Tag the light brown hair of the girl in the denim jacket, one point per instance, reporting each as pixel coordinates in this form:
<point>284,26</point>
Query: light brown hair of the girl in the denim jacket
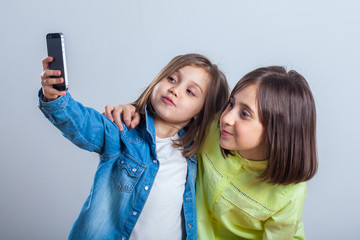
<point>216,97</point>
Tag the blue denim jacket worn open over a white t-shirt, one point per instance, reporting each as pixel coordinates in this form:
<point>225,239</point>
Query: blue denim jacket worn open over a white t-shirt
<point>125,174</point>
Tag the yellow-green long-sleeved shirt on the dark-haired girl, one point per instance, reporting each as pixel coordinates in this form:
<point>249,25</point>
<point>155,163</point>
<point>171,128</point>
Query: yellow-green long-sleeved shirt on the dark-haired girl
<point>232,203</point>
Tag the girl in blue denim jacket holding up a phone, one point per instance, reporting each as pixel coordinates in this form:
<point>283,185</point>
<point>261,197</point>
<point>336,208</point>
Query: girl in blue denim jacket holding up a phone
<point>144,185</point>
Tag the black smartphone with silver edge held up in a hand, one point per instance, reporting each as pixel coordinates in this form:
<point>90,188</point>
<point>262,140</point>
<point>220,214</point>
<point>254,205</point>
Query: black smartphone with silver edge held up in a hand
<point>56,48</point>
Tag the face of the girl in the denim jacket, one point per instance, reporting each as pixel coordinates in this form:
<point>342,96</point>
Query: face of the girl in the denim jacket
<point>181,96</point>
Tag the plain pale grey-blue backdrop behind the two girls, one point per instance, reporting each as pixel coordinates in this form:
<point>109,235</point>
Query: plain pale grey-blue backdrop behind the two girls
<point>115,48</point>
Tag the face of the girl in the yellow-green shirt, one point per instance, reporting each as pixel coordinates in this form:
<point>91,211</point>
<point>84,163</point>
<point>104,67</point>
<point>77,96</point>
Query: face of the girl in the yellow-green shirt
<point>240,126</point>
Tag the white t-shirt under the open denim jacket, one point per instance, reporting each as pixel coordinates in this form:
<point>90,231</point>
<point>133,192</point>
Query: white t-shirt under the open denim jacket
<point>161,217</point>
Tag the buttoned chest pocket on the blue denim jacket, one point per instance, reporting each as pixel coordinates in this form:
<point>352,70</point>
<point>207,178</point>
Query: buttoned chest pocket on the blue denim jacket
<point>126,173</point>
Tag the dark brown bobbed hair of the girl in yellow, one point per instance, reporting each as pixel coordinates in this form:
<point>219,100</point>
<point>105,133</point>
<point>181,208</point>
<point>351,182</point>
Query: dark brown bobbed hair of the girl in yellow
<point>287,111</point>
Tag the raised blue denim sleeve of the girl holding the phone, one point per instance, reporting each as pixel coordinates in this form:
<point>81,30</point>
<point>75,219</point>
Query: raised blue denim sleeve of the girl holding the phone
<point>83,126</point>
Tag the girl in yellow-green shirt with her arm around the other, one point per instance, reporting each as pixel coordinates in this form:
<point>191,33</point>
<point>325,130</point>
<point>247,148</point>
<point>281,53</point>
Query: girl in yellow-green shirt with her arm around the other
<point>256,159</point>
